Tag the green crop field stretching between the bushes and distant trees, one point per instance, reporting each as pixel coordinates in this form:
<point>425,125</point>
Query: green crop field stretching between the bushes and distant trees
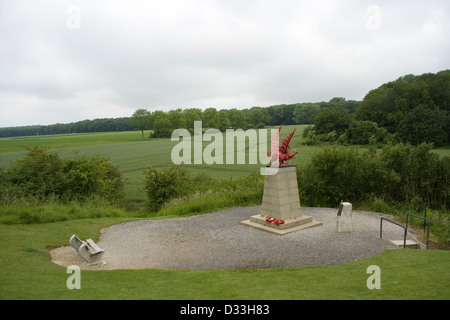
<point>127,151</point>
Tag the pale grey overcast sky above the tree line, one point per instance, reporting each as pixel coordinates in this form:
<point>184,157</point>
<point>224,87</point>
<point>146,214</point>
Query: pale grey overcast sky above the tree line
<point>66,61</point>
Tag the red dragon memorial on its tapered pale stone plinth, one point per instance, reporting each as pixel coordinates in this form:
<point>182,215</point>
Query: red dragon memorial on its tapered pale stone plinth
<point>280,209</point>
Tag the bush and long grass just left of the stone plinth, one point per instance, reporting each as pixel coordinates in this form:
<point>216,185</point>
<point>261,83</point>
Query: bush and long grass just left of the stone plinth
<point>173,191</point>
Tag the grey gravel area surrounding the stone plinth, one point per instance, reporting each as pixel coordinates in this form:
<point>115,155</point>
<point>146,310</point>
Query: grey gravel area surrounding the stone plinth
<point>218,241</point>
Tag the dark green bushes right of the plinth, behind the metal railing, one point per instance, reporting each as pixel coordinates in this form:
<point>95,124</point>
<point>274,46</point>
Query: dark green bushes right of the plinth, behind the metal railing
<point>399,174</point>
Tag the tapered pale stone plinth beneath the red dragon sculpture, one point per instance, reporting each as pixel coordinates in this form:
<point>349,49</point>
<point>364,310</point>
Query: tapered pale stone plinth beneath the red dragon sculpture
<point>281,201</point>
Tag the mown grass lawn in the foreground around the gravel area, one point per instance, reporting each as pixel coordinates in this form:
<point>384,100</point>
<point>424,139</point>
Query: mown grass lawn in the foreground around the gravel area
<point>26,272</point>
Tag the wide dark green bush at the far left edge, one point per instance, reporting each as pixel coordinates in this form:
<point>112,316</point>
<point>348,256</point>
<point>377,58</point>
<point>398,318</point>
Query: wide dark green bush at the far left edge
<point>44,175</point>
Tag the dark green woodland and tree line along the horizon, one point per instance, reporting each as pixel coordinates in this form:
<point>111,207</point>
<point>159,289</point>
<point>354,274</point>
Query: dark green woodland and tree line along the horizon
<point>411,109</point>
